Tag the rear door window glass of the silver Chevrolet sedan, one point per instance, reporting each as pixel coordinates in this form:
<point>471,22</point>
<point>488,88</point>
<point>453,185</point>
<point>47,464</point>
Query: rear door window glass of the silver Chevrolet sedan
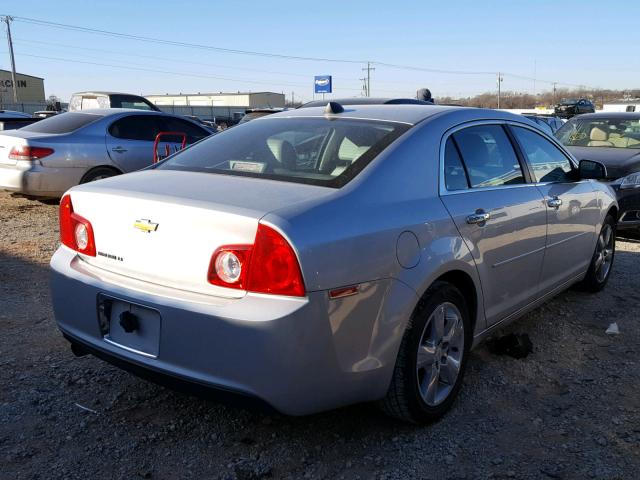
<point>488,156</point>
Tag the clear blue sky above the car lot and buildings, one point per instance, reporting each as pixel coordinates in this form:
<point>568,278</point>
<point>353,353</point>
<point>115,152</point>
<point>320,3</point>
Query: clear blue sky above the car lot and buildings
<point>572,42</point>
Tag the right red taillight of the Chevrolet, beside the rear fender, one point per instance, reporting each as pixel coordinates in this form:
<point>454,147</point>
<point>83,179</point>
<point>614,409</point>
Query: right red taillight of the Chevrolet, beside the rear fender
<point>268,266</point>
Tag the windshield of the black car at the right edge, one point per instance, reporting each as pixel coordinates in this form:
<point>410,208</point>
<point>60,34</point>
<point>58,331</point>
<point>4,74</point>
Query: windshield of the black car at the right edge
<point>601,132</point>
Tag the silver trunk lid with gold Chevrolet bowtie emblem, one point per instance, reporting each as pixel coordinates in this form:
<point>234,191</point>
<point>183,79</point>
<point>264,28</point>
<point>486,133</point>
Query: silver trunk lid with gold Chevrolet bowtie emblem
<point>164,226</point>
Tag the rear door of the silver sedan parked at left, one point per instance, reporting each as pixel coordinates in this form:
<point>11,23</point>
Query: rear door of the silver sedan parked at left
<point>130,140</point>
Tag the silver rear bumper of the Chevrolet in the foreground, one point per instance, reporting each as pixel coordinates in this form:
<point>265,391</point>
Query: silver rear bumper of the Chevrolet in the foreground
<point>300,356</point>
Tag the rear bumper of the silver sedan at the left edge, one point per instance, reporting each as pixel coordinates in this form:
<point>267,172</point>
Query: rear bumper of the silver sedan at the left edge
<point>31,178</point>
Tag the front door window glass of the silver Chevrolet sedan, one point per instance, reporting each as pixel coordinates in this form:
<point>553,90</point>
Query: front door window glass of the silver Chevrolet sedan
<point>548,162</point>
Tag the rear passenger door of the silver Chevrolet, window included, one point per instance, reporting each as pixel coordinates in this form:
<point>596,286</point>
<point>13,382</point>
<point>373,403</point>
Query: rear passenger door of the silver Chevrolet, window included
<point>499,214</point>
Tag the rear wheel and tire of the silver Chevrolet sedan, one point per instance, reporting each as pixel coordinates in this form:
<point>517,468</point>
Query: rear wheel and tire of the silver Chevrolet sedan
<point>432,358</point>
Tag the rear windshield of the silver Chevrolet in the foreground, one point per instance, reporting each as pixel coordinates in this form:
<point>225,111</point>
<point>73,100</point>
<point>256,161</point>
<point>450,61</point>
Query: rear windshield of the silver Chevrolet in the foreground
<point>318,151</point>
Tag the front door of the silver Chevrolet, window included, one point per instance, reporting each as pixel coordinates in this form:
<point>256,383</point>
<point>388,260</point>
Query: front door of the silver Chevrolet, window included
<point>572,208</point>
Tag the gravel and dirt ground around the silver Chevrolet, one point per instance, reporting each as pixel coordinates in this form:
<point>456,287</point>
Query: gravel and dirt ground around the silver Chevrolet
<point>569,410</point>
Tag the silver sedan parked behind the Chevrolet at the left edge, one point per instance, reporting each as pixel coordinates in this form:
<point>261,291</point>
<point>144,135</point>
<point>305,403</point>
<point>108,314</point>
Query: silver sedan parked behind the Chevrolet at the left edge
<point>48,157</point>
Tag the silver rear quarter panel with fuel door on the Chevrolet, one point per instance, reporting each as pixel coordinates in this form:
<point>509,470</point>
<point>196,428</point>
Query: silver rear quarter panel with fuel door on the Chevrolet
<point>352,237</point>
